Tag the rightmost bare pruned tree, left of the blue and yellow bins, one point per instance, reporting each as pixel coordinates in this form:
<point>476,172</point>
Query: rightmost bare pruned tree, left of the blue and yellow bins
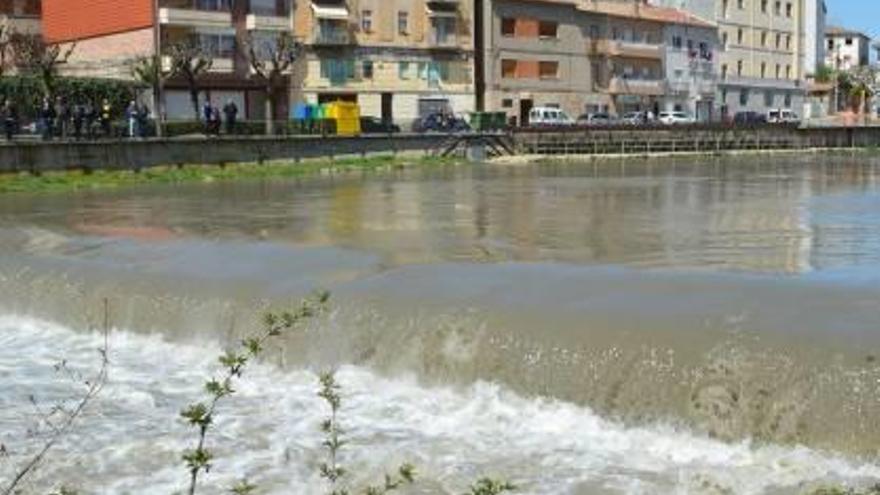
<point>271,60</point>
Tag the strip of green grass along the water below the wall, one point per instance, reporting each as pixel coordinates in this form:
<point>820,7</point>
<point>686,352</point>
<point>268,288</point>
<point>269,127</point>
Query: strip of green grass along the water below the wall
<point>76,180</point>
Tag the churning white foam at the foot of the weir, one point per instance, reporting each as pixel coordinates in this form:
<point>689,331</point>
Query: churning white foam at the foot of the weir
<point>132,437</point>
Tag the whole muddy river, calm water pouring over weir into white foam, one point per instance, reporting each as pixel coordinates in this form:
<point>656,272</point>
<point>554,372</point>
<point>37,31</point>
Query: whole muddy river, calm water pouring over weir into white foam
<point>688,325</point>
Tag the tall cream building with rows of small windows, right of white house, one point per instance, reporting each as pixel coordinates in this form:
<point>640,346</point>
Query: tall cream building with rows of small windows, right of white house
<point>762,61</point>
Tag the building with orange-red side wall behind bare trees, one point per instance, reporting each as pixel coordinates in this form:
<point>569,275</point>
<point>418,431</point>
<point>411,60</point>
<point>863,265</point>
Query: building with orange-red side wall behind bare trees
<point>109,35</point>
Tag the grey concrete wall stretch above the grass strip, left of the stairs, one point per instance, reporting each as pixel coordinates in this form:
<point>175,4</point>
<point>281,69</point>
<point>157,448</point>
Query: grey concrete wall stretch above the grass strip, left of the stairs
<point>137,154</point>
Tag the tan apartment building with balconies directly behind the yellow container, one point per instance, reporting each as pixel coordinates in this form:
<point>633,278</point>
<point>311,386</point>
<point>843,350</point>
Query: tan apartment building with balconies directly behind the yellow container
<point>398,59</point>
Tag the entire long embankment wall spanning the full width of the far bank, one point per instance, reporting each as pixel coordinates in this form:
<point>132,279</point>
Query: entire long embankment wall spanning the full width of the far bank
<point>39,157</point>
